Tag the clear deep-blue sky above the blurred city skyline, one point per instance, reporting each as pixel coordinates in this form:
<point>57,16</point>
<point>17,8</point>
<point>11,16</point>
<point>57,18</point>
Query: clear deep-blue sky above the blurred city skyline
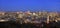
<point>31,5</point>
